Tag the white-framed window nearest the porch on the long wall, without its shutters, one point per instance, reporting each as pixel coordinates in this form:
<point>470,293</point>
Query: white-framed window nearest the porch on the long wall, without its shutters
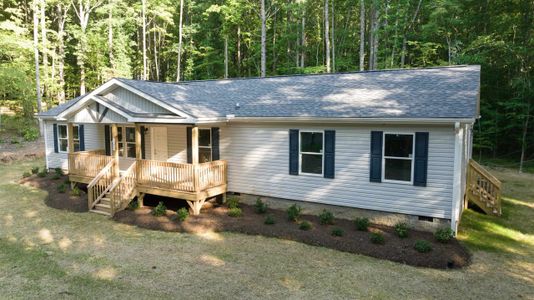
<point>311,152</point>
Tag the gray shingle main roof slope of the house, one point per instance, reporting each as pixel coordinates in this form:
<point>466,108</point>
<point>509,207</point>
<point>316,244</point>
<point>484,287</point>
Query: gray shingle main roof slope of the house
<point>445,92</point>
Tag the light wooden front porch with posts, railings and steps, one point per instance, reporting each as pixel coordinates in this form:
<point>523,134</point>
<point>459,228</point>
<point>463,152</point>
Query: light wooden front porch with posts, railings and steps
<point>114,181</point>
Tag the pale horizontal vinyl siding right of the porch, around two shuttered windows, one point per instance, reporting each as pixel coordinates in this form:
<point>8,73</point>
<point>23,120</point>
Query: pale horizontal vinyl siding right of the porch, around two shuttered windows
<point>258,163</point>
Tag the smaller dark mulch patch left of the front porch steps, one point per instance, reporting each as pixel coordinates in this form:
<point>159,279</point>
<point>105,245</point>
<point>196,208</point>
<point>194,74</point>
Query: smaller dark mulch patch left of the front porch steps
<point>55,199</point>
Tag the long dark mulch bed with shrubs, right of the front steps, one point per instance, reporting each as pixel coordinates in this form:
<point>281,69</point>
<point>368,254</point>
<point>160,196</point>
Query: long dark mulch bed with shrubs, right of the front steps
<point>214,217</point>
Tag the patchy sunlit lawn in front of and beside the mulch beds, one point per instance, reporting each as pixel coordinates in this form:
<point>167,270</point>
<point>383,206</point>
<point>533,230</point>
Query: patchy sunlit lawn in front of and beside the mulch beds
<point>48,253</point>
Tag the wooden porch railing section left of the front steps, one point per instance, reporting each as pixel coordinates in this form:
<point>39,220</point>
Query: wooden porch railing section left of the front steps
<point>87,163</point>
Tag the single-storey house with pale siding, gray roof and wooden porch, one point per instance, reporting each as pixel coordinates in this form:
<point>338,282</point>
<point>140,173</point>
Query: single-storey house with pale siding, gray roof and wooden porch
<point>395,141</point>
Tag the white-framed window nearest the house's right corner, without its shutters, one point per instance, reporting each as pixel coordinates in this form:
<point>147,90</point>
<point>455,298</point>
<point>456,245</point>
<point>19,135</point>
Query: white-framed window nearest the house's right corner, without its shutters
<point>398,157</point>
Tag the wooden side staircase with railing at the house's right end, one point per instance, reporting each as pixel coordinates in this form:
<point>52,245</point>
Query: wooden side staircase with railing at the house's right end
<point>483,189</point>
